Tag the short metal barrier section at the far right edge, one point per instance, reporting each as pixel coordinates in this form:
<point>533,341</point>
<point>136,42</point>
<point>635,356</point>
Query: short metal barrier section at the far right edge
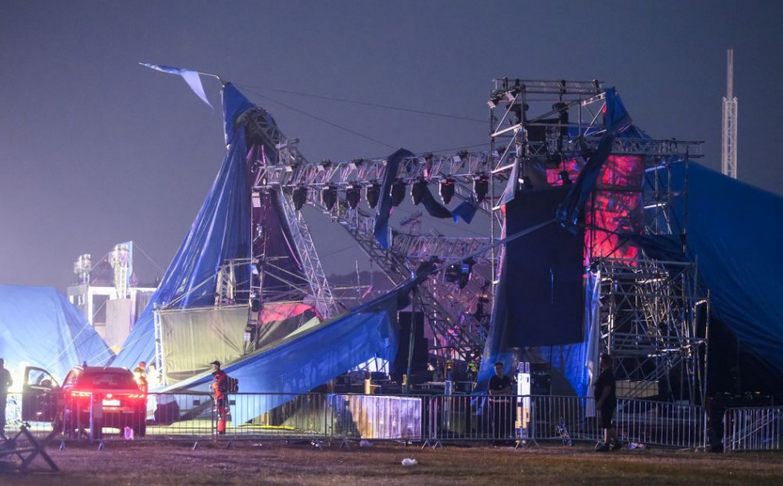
<point>752,429</point>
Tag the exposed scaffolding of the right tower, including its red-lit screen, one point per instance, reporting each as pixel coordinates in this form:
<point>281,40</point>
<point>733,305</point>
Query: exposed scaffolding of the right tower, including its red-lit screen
<point>648,308</point>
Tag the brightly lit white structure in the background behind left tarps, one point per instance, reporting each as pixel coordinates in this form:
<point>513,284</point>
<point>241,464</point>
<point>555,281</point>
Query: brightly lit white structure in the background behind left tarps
<point>107,293</point>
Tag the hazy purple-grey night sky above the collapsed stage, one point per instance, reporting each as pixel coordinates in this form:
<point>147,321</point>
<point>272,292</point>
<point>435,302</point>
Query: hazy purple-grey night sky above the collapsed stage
<point>96,150</point>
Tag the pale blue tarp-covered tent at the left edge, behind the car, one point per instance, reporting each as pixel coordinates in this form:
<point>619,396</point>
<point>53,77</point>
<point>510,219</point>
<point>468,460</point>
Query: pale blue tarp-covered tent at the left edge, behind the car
<point>39,327</point>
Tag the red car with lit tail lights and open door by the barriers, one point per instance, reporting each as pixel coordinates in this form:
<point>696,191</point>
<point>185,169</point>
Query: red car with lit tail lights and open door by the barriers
<point>110,395</point>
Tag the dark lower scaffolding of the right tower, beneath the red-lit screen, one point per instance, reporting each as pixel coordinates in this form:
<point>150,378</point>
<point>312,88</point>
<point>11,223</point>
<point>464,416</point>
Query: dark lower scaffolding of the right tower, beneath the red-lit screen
<point>650,323</point>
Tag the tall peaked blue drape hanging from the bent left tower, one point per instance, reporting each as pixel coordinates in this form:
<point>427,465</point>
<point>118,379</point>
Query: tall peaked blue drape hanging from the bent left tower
<point>221,233</point>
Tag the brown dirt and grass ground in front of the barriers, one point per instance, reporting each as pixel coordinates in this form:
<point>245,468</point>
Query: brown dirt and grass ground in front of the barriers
<point>155,463</point>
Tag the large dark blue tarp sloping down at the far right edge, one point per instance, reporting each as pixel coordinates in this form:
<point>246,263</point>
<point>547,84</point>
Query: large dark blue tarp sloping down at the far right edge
<point>735,234</point>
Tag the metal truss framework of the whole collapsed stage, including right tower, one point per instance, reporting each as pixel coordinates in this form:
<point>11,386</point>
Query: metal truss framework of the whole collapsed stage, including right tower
<point>536,126</point>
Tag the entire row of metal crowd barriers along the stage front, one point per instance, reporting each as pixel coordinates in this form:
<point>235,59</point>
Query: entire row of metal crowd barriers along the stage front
<point>428,418</point>
